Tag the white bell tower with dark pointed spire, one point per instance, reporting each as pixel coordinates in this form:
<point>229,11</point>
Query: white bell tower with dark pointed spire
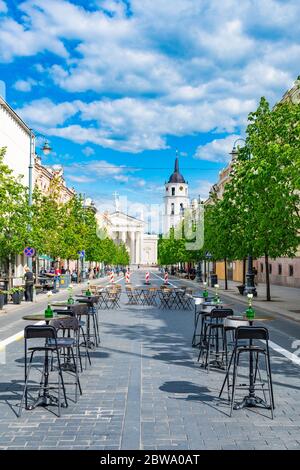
<point>176,199</point>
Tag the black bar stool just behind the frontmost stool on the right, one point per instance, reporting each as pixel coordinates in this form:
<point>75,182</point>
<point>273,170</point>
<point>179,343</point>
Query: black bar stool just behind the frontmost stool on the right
<point>212,334</point>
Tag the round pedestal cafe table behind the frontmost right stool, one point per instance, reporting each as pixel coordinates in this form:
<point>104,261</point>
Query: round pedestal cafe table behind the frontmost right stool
<point>250,400</point>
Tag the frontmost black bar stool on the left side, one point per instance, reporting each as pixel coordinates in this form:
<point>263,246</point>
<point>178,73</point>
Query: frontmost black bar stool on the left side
<point>48,333</point>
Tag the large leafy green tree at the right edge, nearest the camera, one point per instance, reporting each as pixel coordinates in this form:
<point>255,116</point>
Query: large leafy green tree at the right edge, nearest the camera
<point>261,201</point>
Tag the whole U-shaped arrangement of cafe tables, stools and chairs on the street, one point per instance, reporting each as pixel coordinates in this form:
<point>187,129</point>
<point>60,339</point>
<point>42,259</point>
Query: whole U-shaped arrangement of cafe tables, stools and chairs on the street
<point>225,341</point>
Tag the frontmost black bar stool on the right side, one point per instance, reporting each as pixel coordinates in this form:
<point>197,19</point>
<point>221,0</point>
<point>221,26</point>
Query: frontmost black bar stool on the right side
<point>252,334</point>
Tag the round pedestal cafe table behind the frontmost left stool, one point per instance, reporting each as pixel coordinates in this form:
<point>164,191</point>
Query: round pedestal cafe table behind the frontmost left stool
<point>45,399</point>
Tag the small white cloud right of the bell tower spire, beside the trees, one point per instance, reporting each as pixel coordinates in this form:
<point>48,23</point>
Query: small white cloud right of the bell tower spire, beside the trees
<point>217,150</point>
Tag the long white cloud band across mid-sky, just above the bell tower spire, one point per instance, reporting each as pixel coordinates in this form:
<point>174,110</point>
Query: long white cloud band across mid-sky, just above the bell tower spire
<point>133,125</point>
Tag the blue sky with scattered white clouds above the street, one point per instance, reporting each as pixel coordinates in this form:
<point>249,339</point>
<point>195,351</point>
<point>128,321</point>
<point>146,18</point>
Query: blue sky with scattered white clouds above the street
<point>119,85</point>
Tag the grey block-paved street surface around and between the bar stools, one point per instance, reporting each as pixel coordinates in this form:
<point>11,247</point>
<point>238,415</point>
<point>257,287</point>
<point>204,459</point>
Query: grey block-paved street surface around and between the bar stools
<point>145,390</point>
